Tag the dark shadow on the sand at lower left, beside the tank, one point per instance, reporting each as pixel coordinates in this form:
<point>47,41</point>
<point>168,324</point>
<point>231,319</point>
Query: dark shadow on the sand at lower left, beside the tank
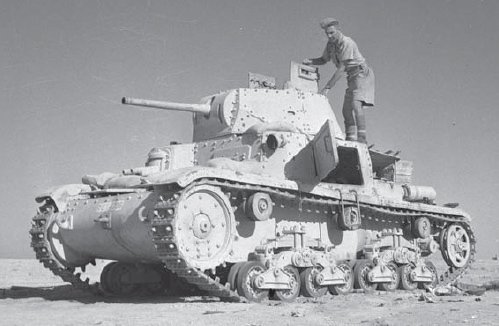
<point>67,293</point>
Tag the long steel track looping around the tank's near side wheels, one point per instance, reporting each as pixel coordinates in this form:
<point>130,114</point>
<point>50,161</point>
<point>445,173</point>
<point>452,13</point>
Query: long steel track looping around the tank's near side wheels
<point>166,244</point>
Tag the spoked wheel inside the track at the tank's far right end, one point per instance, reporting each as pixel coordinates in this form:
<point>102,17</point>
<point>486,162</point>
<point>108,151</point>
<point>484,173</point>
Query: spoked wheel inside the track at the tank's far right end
<point>455,245</point>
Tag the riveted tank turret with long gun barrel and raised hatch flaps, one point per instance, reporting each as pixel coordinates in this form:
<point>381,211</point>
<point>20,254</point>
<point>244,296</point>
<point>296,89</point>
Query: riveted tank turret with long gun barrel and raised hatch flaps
<point>260,105</point>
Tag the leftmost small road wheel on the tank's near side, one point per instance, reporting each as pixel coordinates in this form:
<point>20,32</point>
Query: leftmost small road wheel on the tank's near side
<point>246,281</point>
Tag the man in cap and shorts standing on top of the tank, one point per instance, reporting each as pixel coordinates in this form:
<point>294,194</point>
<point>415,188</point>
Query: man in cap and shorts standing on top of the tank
<point>345,55</point>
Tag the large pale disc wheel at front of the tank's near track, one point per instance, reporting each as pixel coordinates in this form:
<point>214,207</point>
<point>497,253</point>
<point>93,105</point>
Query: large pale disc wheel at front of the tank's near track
<point>204,226</point>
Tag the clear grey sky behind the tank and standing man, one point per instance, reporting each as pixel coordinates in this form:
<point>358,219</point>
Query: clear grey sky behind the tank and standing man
<point>64,66</point>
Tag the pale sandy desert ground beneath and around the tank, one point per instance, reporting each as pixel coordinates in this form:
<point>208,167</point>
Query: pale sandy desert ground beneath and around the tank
<point>30,294</point>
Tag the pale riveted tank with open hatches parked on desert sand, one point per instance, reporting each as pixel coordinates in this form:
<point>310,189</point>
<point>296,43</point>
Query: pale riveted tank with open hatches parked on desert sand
<point>268,199</point>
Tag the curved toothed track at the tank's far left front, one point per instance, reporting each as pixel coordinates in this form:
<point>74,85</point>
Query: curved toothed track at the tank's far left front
<point>41,246</point>
